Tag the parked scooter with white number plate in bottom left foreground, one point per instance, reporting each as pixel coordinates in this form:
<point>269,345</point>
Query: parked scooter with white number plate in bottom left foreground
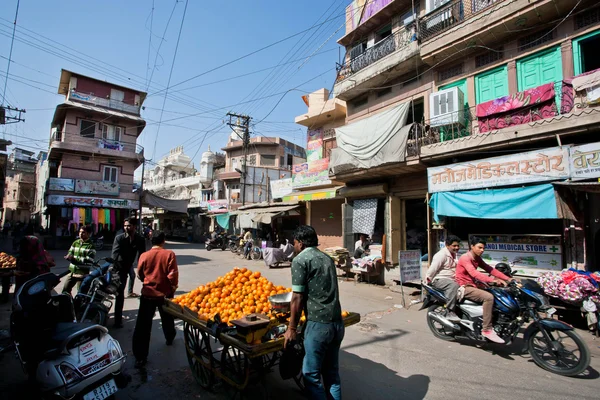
<point>64,357</point>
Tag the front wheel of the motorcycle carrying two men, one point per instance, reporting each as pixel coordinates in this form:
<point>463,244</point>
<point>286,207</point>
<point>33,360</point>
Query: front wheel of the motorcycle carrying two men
<point>570,357</point>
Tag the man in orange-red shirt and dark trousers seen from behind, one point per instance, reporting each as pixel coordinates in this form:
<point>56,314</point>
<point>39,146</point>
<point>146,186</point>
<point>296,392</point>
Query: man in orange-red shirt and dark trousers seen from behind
<point>157,269</point>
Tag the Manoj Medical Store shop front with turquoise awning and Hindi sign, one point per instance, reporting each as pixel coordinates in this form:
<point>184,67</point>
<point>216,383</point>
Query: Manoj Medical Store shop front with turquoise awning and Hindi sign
<point>511,203</point>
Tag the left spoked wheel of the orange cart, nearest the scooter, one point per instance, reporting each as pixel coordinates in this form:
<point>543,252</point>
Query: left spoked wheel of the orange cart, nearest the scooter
<point>200,356</point>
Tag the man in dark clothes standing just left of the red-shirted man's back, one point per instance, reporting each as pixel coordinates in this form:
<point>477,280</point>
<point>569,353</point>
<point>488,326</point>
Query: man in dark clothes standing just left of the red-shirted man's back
<point>126,247</point>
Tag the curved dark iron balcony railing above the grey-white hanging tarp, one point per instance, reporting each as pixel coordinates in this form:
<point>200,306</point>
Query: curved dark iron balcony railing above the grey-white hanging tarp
<point>381,49</point>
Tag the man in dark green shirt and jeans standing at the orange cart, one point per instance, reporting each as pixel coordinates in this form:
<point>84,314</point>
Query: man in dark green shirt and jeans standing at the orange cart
<point>315,289</point>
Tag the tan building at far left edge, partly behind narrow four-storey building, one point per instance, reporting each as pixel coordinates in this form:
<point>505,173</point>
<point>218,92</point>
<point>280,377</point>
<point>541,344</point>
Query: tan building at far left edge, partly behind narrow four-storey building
<point>19,195</point>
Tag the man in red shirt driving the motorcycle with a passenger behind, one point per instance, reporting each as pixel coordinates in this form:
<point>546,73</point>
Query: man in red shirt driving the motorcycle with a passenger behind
<point>467,274</point>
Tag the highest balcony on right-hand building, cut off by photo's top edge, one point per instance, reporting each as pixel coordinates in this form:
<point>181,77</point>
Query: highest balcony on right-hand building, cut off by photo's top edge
<point>461,24</point>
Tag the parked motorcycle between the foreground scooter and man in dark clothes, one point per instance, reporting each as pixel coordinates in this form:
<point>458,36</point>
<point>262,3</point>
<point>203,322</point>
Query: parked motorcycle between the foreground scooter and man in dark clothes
<point>95,305</point>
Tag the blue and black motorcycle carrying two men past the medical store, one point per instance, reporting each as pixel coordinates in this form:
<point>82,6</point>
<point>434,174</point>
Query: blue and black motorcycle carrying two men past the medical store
<point>553,344</point>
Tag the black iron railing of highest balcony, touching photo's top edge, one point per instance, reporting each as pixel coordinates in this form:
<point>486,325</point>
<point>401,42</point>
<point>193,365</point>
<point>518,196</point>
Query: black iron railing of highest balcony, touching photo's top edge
<point>451,14</point>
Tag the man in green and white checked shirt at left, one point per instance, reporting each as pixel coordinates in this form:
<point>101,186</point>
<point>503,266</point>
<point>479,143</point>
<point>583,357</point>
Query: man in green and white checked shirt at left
<point>82,252</point>
